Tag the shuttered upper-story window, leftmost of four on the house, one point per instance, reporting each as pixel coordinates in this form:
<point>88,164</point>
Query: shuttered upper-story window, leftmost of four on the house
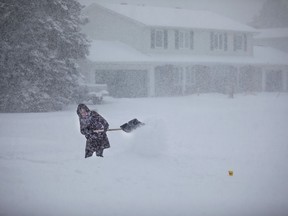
<point>159,38</point>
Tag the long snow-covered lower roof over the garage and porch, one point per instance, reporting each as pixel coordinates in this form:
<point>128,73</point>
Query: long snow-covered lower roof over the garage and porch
<point>117,52</point>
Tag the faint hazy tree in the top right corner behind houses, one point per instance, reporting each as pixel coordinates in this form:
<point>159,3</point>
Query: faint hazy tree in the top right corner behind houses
<point>274,14</point>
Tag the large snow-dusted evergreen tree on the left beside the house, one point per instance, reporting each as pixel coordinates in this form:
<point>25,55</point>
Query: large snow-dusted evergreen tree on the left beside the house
<point>39,43</point>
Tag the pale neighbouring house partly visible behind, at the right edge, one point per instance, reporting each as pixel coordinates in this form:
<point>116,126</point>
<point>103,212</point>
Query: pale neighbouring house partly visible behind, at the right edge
<point>275,37</point>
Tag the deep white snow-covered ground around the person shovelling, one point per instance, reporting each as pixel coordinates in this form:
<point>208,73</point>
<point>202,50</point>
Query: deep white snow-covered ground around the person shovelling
<point>177,164</point>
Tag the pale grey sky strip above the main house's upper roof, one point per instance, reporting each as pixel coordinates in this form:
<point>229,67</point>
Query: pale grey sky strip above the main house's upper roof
<point>241,10</point>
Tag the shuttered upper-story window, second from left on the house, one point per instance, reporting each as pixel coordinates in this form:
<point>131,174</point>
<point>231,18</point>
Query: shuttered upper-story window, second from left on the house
<point>184,39</point>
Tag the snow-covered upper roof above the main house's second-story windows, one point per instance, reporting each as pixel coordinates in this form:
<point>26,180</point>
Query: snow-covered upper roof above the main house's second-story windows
<point>176,17</point>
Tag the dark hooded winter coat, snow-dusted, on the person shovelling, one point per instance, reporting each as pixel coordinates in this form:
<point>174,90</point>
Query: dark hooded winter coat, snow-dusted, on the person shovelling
<point>96,142</point>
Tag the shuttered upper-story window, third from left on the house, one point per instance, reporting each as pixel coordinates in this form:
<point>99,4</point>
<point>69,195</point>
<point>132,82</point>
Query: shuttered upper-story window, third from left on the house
<point>218,41</point>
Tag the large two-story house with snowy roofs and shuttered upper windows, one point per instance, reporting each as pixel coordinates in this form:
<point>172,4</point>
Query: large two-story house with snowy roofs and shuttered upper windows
<point>141,51</point>
